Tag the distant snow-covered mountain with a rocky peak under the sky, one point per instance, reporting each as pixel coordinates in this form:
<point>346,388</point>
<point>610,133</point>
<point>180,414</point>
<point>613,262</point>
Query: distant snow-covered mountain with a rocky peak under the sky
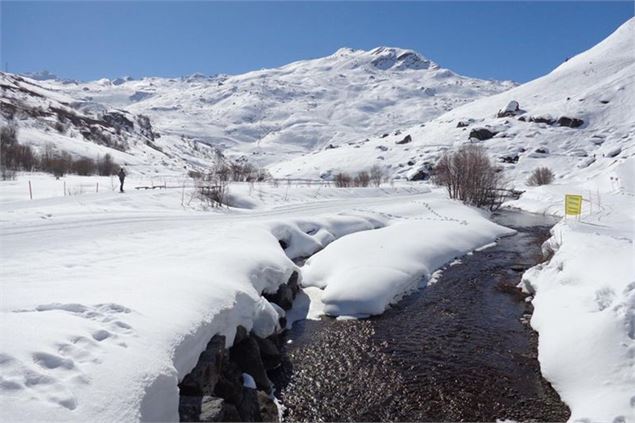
<point>276,114</point>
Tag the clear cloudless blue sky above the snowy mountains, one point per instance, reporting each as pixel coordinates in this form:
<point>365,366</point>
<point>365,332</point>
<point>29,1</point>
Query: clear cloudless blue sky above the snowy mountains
<point>498,40</point>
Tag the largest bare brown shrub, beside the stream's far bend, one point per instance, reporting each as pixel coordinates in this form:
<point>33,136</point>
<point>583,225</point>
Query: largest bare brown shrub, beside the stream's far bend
<point>469,176</point>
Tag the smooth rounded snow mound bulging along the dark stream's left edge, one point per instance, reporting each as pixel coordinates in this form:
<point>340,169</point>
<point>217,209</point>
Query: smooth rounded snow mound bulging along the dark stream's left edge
<point>363,273</point>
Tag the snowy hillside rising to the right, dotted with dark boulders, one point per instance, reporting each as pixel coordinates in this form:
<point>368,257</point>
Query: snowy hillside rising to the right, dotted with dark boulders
<point>595,86</point>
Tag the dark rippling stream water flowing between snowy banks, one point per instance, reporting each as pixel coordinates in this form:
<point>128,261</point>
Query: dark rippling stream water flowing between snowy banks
<point>458,350</point>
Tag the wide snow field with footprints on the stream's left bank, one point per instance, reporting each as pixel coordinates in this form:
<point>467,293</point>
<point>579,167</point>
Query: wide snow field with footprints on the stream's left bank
<point>108,299</point>
